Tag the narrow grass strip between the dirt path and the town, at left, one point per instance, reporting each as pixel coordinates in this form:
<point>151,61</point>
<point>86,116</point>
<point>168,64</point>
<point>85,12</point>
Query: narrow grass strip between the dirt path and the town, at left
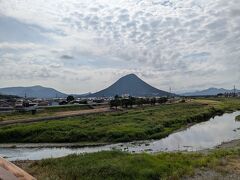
<point>44,112</point>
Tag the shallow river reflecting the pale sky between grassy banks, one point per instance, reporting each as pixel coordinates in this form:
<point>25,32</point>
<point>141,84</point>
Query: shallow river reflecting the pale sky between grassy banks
<point>201,136</point>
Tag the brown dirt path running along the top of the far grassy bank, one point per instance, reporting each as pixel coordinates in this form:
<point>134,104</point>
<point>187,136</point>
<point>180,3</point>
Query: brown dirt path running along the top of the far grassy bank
<point>59,115</point>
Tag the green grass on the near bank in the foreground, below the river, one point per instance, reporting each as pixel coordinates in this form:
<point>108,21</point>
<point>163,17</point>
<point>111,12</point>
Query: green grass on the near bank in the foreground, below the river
<point>120,165</point>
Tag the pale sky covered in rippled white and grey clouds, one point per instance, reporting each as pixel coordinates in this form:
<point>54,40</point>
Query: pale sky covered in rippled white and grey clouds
<point>79,46</point>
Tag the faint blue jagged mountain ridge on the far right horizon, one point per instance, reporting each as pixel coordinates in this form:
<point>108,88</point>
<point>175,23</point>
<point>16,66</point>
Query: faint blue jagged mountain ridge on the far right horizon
<point>209,92</point>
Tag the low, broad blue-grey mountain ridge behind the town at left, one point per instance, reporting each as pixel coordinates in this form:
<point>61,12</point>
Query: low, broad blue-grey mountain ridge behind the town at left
<point>33,91</point>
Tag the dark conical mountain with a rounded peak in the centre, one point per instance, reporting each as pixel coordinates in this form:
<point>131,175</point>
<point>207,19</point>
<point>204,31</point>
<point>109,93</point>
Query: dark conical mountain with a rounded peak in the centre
<point>131,85</point>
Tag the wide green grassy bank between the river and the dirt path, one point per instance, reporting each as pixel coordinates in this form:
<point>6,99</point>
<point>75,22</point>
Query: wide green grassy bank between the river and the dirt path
<point>136,124</point>
